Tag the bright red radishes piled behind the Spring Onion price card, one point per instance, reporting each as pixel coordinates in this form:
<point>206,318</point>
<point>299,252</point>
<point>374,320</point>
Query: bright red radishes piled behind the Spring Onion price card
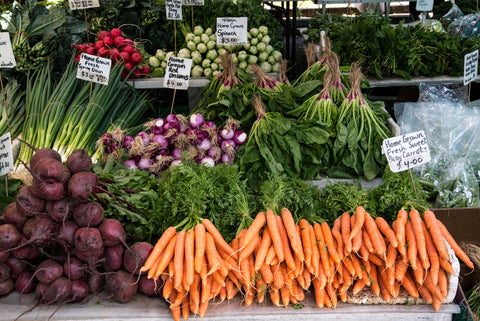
<point>120,49</point>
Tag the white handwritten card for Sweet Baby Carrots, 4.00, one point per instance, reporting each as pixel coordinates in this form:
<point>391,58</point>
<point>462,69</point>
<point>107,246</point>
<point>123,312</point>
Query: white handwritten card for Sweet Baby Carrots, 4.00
<point>406,151</point>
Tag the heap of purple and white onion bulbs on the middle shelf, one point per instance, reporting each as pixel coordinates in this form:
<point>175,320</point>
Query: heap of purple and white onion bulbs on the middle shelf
<point>175,139</point>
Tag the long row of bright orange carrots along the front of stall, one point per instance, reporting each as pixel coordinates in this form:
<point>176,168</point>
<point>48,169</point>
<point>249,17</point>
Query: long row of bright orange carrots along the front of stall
<point>282,259</point>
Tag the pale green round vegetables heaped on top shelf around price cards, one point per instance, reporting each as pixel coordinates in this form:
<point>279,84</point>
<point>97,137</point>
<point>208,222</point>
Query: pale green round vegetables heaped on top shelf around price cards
<point>201,46</point>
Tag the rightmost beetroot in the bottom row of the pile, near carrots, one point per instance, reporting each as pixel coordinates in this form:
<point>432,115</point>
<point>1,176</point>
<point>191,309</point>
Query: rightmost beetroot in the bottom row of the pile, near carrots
<point>121,285</point>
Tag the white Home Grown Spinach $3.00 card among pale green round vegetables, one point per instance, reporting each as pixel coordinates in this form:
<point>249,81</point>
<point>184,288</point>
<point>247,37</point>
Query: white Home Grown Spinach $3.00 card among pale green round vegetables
<point>232,31</point>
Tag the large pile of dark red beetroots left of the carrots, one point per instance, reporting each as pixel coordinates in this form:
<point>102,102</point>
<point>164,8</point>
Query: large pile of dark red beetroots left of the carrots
<point>55,242</point>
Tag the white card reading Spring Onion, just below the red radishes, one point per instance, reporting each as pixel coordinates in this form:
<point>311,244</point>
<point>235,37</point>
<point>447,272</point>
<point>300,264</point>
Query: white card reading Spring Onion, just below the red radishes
<point>93,68</point>
